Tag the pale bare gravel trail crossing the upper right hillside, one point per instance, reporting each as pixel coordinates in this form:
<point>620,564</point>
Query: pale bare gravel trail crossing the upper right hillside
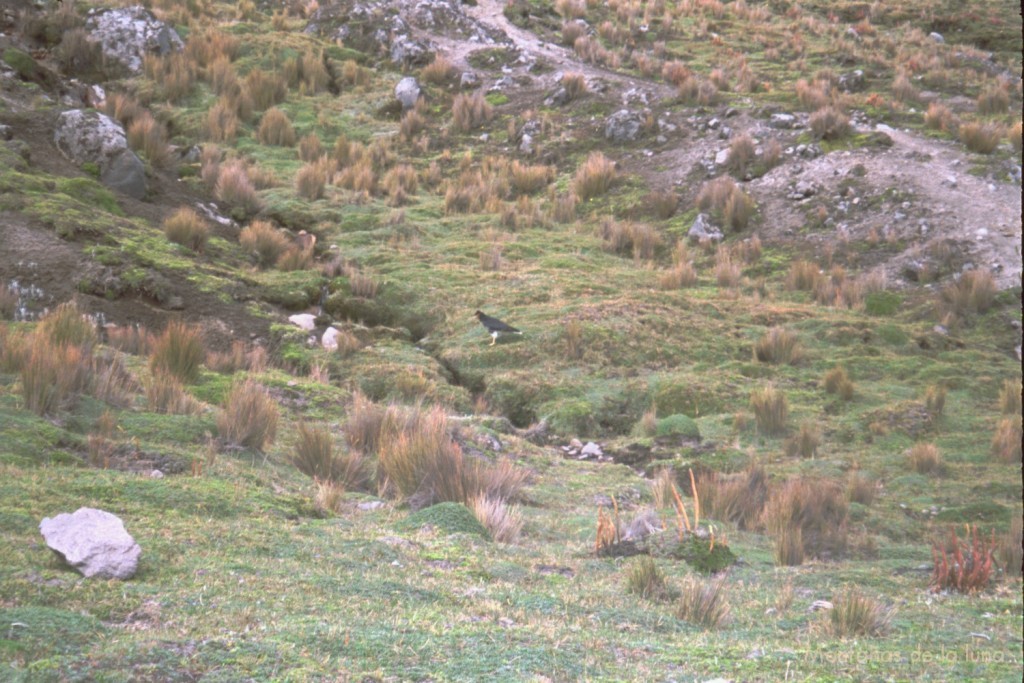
<point>949,202</point>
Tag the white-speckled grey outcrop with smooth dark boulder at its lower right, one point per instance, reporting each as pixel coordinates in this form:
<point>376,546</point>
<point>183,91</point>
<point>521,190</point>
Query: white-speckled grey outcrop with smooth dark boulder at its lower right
<point>95,138</point>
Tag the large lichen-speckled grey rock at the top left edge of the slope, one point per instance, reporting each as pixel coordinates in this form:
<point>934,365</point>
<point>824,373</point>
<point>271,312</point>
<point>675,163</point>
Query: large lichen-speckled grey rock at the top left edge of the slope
<point>127,35</point>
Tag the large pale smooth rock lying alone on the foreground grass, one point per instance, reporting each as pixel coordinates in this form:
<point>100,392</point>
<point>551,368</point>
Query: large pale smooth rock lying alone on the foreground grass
<point>94,542</point>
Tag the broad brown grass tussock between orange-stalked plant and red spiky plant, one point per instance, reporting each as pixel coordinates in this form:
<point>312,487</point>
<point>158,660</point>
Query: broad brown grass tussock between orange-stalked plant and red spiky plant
<point>807,518</point>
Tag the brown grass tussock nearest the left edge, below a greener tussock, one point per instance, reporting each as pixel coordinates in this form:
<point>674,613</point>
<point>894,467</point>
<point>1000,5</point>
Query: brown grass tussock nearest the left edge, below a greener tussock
<point>54,374</point>
